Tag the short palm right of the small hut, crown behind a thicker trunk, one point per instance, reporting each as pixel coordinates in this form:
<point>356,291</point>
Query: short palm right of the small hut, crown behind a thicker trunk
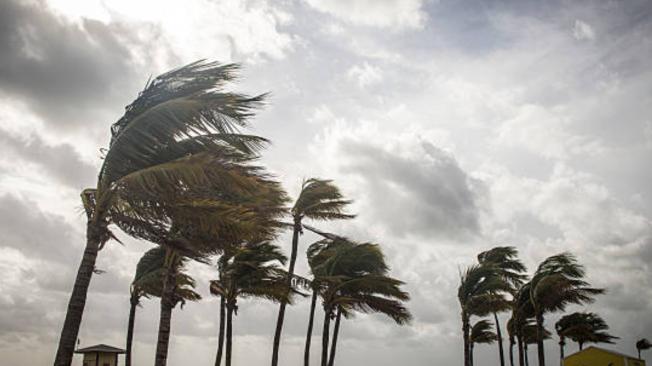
<point>148,282</point>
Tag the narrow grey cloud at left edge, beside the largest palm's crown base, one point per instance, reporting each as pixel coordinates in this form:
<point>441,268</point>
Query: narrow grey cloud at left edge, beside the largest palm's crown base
<point>60,162</point>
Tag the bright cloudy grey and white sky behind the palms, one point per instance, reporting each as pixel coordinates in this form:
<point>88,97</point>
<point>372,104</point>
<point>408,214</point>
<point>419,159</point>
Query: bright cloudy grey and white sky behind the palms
<point>454,125</point>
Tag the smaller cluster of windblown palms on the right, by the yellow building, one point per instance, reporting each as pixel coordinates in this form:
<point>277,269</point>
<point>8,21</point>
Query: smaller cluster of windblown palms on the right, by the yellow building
<point>498,283</point>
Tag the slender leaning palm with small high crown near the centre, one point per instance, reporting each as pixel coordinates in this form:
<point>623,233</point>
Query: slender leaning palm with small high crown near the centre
<point>318,200</point>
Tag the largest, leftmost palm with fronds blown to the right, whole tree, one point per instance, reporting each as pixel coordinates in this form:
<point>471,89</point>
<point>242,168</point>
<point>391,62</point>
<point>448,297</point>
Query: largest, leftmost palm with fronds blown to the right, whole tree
<point>159,145</point>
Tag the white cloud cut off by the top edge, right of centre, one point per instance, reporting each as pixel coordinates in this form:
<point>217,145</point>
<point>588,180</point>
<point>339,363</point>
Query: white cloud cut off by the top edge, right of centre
<point>396,14</point>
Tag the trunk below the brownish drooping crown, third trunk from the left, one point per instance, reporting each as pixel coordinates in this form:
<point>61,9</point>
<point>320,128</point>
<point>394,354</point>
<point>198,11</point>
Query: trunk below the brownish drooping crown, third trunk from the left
<point>165,320</point>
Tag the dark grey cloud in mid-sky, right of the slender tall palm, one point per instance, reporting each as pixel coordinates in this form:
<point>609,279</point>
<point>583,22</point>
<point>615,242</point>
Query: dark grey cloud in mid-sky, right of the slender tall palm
<point>430,196</point>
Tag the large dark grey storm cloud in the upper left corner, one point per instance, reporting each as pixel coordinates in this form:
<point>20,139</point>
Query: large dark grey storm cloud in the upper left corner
<point>64,71</point>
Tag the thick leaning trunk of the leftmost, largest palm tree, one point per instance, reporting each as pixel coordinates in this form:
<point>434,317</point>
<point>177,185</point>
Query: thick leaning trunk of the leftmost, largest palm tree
<point>77,301</point>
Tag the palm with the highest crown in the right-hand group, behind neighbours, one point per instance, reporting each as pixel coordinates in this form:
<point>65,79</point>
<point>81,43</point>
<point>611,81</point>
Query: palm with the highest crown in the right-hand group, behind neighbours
<point>512,270</point>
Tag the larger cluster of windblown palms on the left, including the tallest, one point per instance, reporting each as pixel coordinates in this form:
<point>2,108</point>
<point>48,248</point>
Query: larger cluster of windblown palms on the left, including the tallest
<point>180,173</point>
